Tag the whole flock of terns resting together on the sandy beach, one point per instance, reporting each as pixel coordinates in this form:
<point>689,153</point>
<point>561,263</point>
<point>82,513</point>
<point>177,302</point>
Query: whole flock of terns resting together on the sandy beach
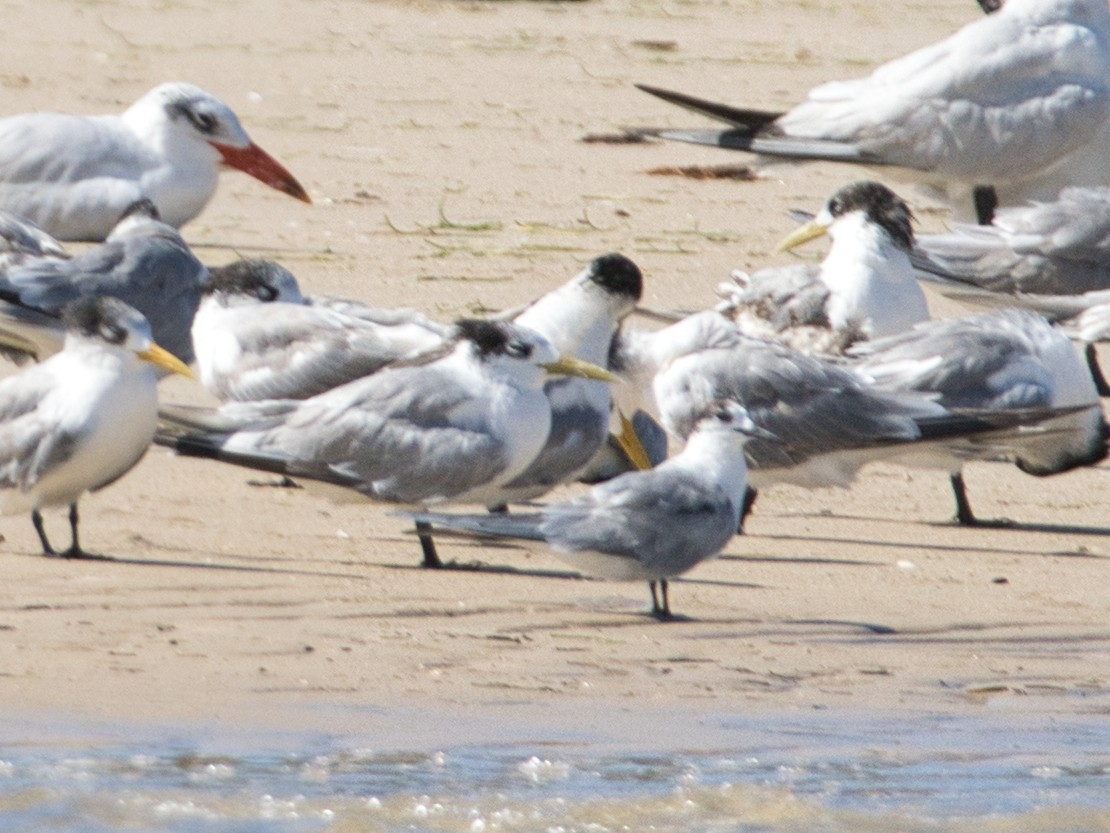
<point>798,375</point>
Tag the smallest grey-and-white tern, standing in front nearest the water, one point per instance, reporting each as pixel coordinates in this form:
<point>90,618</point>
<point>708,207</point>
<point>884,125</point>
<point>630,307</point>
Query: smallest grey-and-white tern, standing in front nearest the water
<point>645,526</point>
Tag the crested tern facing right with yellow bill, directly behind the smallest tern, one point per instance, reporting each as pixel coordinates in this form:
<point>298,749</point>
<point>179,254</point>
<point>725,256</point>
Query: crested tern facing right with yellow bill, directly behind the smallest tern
<point>451,426</point>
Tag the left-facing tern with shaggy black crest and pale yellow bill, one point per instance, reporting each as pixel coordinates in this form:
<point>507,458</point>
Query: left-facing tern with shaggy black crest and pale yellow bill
<point>865,288</point>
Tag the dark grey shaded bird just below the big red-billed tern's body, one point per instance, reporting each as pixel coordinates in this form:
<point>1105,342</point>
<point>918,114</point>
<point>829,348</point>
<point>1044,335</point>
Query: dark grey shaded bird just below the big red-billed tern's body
<point>144,263</point>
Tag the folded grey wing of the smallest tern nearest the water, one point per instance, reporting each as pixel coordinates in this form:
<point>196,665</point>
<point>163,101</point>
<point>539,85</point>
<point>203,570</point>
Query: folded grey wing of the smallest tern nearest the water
<point>667,520</point>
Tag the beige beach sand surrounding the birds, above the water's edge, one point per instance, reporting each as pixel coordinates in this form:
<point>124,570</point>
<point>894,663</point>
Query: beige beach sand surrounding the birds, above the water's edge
<point>442,144</point>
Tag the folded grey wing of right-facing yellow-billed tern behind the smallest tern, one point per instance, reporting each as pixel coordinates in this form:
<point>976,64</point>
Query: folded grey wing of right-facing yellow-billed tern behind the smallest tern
<point>395,434</point>
